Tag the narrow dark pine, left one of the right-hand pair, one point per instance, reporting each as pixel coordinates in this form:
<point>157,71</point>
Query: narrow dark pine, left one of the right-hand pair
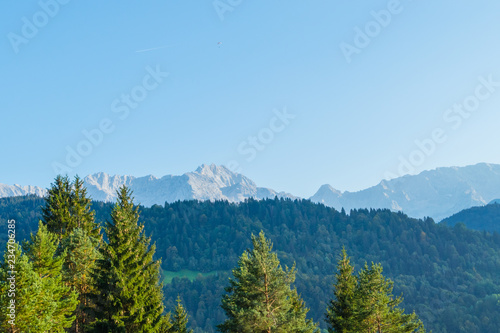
<point>341,313</point>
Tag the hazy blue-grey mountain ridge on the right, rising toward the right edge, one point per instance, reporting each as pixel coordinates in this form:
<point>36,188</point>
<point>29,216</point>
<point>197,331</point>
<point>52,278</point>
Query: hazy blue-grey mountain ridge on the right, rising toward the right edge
<point>437,193</point>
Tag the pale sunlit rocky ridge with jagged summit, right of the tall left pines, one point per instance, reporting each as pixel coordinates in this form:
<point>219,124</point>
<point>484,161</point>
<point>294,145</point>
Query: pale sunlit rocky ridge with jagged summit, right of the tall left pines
<point>208,182</point>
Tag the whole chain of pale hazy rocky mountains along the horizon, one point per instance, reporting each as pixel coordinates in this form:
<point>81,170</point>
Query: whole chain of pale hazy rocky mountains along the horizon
<point>437,193</point>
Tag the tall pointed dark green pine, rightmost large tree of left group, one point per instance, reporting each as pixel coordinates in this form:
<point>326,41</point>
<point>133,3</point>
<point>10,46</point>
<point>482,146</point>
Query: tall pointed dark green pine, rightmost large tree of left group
<point>129,296</point>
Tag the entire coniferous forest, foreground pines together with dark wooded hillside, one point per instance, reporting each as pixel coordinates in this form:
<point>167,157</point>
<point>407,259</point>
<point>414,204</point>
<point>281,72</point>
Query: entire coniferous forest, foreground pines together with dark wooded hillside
<point>259,266</point>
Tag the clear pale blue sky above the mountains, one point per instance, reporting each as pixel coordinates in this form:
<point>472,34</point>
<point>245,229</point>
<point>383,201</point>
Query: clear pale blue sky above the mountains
<point>353,120</point>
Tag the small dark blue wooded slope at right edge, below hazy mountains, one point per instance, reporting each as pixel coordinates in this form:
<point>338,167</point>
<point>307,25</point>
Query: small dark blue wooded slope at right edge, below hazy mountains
<point>478,218</point>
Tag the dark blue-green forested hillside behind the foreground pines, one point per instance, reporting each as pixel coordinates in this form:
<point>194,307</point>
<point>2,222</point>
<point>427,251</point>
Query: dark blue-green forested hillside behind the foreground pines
<point>449,276</point>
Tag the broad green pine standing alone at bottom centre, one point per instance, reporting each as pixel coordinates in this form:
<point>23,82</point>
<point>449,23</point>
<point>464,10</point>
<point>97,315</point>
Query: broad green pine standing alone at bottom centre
<point>259,297</point>
